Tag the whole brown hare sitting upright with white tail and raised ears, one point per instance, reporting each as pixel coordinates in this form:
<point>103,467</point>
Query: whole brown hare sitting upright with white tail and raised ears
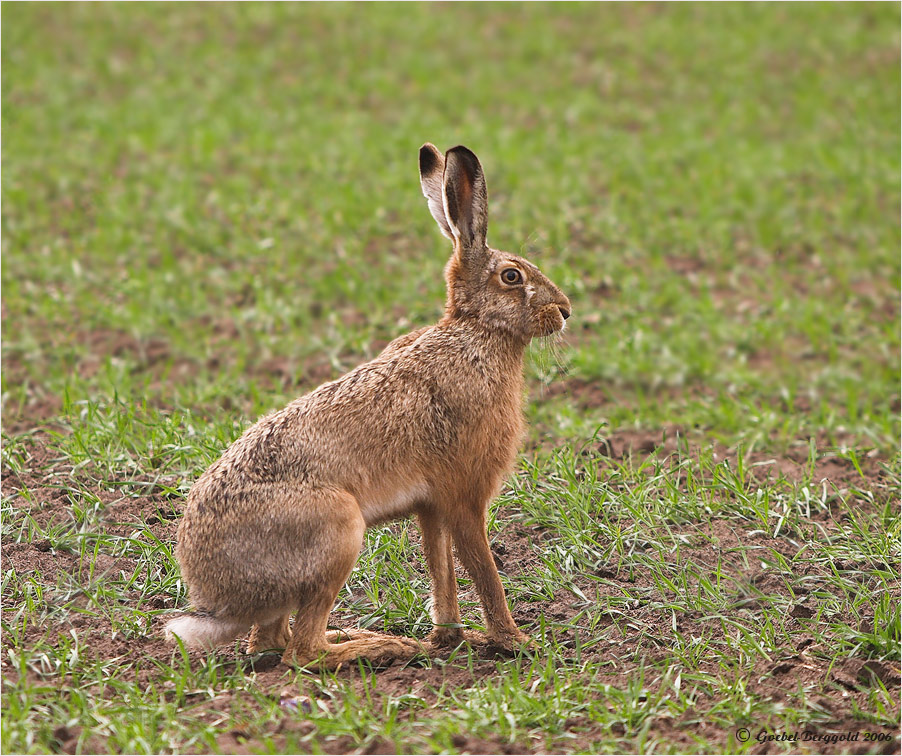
<point>429,428</point>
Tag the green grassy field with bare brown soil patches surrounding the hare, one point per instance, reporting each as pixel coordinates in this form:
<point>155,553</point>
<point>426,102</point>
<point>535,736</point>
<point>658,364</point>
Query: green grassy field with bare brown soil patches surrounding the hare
<point>208,210</point>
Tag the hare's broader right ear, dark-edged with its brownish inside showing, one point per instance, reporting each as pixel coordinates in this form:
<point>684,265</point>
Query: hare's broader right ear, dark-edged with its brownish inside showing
<point>466,200</point>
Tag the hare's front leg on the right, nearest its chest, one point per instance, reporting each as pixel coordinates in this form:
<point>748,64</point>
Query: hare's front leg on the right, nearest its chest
<point>473,548</point>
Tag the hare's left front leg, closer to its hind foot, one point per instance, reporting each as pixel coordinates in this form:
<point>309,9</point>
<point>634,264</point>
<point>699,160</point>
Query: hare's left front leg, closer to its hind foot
<point>440,560</point>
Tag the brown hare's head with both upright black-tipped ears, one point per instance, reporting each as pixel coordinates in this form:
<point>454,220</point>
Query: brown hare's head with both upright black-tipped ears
<point>502,291</point>
